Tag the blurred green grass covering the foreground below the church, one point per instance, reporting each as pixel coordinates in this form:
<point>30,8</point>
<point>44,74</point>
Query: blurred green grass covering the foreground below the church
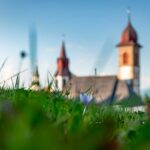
<point>40,120</point>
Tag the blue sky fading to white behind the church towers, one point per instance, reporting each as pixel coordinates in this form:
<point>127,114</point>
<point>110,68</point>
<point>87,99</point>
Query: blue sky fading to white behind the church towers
<point>92,29</point>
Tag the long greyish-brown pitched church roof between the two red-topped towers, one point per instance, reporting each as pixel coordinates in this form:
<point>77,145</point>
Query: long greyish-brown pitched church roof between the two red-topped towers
<point>103,88</point>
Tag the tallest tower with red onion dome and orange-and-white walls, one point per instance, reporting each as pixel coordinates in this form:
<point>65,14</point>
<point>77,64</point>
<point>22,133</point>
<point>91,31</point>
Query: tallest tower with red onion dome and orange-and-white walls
<point>129,57</point>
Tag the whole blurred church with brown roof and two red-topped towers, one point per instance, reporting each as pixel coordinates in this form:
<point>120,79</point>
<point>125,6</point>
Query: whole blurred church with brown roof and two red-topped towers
<point>105,88</point>
